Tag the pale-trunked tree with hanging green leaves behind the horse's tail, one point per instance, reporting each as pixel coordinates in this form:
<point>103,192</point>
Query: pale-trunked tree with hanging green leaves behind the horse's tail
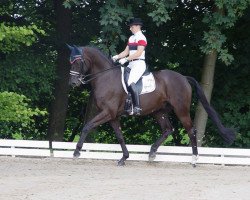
<point>224,16</point>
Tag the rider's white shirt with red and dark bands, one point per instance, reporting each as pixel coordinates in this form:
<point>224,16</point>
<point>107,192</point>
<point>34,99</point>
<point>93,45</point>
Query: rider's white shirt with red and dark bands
<point>138,39</point>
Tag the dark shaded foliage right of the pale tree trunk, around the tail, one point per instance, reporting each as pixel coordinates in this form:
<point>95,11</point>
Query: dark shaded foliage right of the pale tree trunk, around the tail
<point>231,90</point>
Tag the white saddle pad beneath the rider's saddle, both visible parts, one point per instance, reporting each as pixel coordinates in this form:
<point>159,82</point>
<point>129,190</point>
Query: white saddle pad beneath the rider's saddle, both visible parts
<point>148,83</point>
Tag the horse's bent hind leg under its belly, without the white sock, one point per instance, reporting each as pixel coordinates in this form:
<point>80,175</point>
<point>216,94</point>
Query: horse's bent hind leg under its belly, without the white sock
<point>166,128</point>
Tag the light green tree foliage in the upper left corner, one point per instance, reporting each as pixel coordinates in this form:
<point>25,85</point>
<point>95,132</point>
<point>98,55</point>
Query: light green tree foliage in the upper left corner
<point>13,31</point>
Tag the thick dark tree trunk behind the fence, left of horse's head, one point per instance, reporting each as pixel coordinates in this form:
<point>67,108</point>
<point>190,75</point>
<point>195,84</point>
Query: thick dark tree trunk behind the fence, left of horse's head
<point>59,105</point>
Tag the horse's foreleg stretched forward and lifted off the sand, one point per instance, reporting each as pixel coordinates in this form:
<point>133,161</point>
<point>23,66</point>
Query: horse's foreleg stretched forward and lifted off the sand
<point>96,121</point>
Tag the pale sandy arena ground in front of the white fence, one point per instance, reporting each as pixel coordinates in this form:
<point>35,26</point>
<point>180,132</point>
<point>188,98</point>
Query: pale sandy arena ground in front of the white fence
<point>66,179</point>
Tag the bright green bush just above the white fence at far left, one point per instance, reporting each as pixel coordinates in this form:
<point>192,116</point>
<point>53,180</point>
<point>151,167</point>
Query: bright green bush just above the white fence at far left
<point>17,117</point>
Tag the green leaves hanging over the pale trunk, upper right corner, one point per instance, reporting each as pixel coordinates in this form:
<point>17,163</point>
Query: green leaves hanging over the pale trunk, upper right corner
<point>226,16</point>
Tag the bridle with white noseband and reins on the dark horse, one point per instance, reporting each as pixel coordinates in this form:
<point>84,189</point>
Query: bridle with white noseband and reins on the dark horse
<point>84,79</point>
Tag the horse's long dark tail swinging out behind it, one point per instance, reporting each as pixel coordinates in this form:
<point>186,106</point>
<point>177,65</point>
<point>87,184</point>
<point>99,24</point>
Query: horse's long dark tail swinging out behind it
<point>227,134</point>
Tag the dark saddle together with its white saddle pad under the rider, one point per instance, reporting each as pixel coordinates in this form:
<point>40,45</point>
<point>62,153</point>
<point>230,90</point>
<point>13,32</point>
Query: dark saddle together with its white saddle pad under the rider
<point>145,84</point>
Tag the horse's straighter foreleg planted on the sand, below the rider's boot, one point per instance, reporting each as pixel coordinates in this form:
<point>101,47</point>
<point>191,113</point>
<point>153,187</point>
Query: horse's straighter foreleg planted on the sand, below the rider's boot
<point>117,128</point>
